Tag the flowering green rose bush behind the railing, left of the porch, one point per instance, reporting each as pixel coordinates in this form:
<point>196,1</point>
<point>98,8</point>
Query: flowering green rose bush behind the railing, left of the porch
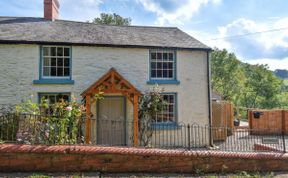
<point>59,123</point>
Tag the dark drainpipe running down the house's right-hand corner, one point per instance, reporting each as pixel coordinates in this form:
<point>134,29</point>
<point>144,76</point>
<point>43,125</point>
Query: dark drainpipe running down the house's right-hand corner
<point>209,97</point>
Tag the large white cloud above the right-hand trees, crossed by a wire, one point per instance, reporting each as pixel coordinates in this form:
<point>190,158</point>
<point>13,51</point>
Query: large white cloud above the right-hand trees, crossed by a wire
<point>269,45</point>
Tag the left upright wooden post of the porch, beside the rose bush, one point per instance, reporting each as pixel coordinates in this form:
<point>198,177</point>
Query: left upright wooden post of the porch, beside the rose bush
<point>88,120</point>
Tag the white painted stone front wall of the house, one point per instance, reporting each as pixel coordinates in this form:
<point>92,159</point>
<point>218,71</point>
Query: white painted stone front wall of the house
<point>19,66</point>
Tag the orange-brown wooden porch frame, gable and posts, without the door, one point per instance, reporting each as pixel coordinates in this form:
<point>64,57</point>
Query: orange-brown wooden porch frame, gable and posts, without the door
<point>111,82</point>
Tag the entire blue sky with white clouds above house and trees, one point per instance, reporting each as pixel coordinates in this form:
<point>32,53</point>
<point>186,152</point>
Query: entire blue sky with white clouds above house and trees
<point>255,30</point>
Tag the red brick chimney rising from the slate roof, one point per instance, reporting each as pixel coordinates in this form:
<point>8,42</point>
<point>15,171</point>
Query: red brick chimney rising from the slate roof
<point>51,9</point>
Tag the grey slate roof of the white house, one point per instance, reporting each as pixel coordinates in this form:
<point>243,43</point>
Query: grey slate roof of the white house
<point>41,31</point>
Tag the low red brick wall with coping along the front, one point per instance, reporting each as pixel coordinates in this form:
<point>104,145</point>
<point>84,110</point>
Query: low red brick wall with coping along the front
<point>113,159</point>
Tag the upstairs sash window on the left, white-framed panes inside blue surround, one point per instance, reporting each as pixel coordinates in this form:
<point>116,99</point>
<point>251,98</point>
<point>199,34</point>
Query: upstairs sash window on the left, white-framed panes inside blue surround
<point>56,62</point>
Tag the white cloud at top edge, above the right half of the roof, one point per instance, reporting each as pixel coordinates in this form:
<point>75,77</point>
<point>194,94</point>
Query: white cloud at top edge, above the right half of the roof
<point>174,11</point>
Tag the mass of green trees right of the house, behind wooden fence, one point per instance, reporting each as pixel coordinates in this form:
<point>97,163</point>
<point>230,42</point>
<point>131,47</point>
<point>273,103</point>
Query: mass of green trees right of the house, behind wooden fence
<point>247,86</point>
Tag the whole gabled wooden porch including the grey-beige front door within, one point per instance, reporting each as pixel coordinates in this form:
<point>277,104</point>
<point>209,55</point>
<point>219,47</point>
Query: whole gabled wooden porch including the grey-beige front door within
<point>107,118</point>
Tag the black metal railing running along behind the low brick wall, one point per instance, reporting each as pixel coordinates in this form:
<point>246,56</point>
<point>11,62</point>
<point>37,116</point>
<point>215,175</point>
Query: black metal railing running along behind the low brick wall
<point>38,129</point>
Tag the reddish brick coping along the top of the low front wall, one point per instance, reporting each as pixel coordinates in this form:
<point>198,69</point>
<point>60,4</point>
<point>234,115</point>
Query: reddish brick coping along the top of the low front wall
<point>95,149</point>
